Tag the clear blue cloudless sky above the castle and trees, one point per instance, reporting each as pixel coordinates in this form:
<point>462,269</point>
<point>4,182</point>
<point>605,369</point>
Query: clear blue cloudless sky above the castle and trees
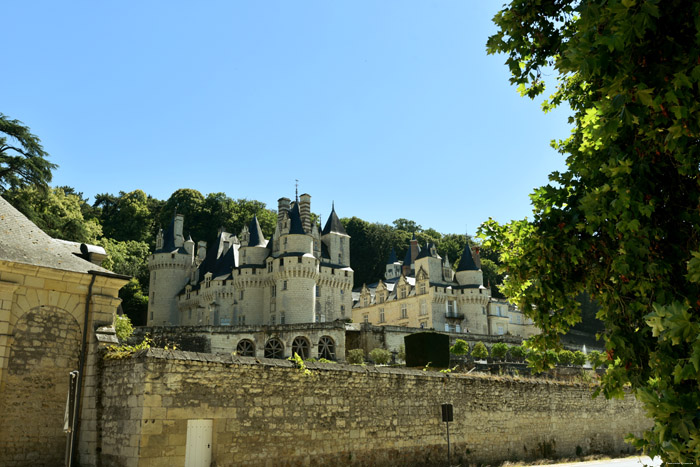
<point>389,108</point>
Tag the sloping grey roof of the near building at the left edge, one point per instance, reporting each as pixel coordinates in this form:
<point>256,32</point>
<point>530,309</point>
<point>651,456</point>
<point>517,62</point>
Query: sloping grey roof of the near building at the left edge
<point>21,241</point>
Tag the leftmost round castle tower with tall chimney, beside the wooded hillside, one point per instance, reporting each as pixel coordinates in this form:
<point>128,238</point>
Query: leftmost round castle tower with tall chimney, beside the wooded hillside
<point>170,266</point>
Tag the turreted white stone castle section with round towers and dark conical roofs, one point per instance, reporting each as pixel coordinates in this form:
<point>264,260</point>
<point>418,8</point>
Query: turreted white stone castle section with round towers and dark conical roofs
<point>300,275</point>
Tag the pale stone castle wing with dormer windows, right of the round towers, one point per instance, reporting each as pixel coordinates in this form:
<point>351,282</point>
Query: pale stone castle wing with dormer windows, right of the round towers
<point>423,291</point>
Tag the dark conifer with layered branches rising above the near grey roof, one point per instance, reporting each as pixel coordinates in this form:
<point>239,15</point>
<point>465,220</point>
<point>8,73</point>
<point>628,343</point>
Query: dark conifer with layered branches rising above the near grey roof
<point>22,158</point>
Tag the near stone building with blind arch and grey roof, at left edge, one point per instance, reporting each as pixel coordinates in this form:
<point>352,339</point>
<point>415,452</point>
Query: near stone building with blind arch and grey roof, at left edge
<point>55,310</point>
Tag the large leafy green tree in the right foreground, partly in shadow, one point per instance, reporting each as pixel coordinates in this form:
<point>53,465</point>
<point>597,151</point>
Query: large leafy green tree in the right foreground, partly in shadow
<point>621,221</point>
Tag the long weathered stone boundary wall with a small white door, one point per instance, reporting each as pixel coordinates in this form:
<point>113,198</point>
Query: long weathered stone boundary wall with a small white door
<point>268,412</point>
